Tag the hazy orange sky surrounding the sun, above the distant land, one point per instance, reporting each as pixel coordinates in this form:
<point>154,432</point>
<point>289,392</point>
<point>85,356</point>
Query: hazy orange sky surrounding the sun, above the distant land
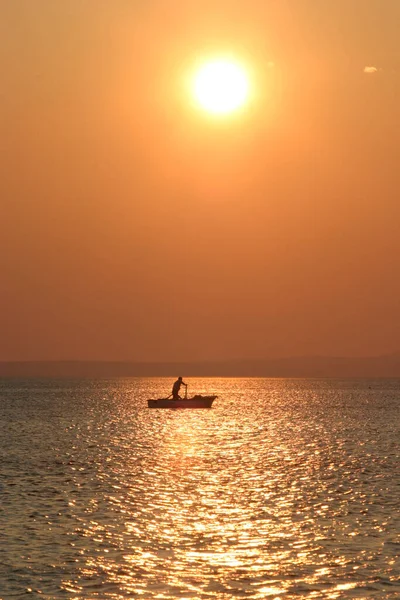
<point>133,226</point>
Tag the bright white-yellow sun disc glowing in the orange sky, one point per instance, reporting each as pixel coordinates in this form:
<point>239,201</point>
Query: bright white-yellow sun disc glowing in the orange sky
<point>221,86</point>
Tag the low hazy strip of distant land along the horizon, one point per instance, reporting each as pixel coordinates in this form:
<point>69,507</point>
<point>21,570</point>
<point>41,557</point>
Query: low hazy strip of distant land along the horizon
<point>309,366</point>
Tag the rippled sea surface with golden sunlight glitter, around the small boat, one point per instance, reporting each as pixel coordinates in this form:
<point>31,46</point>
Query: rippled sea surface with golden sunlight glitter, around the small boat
<point>285,489</point>
